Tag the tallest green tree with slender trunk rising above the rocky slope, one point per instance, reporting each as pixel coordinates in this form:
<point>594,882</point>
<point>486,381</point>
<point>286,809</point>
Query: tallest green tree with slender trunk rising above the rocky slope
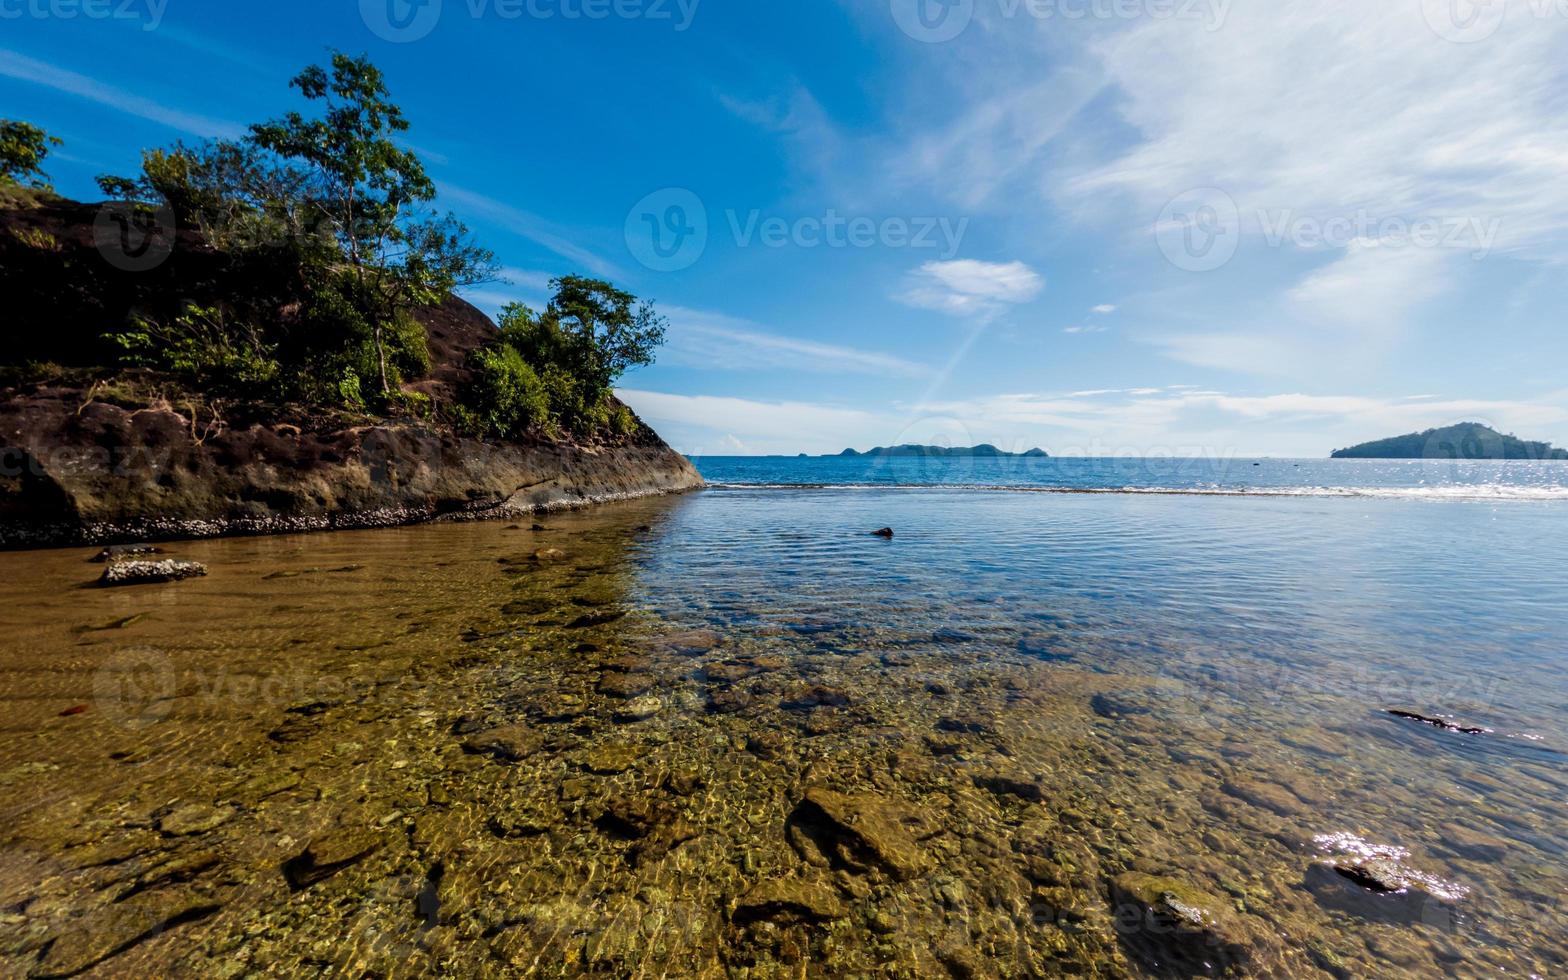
<point>374,195</point>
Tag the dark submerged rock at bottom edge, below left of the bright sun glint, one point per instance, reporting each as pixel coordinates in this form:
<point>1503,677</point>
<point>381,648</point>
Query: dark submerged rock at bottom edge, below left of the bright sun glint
<point>1177,929</point>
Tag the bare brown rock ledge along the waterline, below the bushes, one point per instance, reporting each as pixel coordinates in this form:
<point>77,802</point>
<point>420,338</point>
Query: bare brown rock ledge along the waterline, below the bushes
<point>78,471</point>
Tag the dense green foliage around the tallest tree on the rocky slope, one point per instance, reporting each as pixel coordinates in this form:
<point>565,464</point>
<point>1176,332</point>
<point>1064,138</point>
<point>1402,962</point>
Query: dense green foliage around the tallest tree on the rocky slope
<point>335,211</point>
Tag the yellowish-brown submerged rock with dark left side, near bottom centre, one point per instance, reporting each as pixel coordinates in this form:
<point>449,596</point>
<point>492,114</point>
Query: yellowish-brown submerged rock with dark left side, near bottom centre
<point>860,832</point>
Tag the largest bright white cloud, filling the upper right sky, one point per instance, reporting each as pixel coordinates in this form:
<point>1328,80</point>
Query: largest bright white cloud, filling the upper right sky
<point>1324,111</point>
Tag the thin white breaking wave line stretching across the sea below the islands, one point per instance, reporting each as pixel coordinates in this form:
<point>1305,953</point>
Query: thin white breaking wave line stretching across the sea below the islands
<point>1486,493</point>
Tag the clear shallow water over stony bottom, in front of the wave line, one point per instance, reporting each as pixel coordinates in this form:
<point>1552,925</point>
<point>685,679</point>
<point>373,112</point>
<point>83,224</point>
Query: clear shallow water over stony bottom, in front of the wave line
<point>733,735</point>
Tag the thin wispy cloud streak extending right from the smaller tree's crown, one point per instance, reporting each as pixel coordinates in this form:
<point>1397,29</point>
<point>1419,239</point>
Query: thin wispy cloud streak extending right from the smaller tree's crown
<point>708,339</point>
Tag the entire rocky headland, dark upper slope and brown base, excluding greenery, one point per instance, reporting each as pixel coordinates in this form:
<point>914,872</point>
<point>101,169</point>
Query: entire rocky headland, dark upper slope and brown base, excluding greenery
<point>93,456</point>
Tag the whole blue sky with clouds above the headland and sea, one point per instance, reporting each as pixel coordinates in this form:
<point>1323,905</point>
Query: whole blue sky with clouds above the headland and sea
<point>1097,227</point>
